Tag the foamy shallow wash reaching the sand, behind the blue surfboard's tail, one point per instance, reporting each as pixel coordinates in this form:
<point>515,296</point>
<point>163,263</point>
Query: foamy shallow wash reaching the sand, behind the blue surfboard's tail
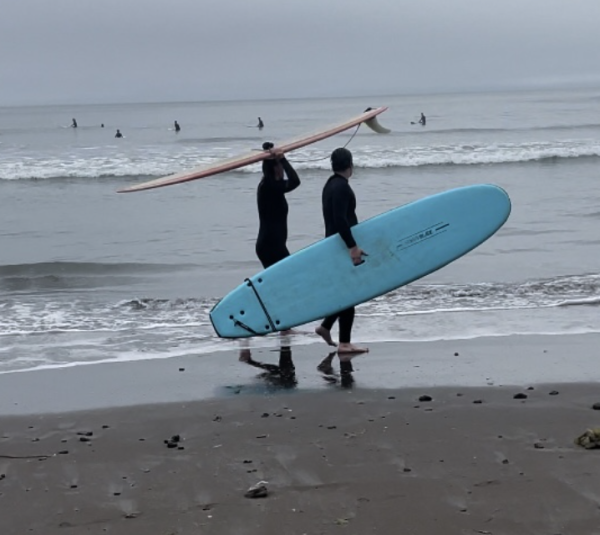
<point>77,328</point>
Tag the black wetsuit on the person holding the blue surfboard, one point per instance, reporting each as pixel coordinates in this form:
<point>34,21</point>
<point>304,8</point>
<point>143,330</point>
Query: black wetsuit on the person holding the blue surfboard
<point>339,213</point>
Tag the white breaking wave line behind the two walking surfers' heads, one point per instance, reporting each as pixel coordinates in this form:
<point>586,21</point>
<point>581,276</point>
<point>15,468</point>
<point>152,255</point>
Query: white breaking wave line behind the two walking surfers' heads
<point>160,163</point>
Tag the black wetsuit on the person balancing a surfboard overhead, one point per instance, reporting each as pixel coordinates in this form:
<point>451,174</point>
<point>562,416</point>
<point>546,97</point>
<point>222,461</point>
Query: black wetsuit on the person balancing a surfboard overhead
<point>272,214</point>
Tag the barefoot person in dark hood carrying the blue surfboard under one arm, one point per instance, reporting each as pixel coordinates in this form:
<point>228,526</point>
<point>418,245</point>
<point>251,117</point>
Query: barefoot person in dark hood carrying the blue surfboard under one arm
<point>339,214</point>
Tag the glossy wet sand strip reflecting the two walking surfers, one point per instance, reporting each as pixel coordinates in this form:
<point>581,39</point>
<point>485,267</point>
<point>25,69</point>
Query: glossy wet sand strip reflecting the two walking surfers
<point>519,360</point>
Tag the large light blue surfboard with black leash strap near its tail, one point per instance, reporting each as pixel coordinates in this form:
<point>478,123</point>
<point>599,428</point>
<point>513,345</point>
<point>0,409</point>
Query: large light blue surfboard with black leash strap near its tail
<point>403,245</point>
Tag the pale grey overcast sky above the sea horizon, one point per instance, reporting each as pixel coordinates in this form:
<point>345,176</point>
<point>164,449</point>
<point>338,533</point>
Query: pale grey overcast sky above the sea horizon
<point>101,51</point>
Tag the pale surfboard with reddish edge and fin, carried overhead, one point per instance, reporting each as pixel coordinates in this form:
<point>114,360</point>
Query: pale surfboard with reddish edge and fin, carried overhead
<point>369,117</point>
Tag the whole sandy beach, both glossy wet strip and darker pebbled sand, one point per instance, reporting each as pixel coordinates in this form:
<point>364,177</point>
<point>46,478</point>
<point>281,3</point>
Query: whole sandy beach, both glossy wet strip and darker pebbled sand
<point>477,446</point>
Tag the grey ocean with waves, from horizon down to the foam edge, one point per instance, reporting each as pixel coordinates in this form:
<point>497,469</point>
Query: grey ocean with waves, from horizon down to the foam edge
<point>88,275</point>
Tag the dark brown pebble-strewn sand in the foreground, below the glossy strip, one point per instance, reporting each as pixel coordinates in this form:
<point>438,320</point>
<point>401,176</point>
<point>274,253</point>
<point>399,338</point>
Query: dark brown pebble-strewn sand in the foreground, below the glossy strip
<point>342,458</point>
